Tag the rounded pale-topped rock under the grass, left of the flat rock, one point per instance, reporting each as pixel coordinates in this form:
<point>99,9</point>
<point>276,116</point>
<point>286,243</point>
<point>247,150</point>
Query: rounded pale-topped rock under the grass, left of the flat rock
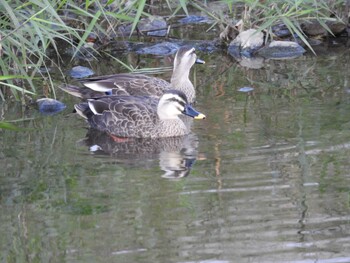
<point>248,41</point>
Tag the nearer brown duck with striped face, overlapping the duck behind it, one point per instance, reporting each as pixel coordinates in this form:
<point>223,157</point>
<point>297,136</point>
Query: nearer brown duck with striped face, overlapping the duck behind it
<point>139,116</point>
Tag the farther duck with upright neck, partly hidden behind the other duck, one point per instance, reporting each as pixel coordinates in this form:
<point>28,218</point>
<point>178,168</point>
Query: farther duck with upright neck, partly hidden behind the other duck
<point>132,84</point>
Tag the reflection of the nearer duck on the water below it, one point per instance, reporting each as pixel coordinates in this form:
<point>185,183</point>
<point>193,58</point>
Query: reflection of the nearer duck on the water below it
<point>176,155</point>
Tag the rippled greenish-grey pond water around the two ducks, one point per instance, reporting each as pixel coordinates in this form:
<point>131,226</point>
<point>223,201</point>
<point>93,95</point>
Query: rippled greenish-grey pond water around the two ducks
<point>265,178</point>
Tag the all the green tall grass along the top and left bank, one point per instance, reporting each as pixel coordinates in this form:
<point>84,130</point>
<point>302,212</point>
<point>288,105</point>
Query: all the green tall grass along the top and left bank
<point>30,28</point>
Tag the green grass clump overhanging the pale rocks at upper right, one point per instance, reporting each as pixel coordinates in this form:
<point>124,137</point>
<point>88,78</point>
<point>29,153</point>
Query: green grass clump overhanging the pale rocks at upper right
<point>263,15</point>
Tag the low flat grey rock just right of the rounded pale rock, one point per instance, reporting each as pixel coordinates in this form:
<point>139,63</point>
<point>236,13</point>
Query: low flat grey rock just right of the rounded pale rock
<point>281,50</point>
